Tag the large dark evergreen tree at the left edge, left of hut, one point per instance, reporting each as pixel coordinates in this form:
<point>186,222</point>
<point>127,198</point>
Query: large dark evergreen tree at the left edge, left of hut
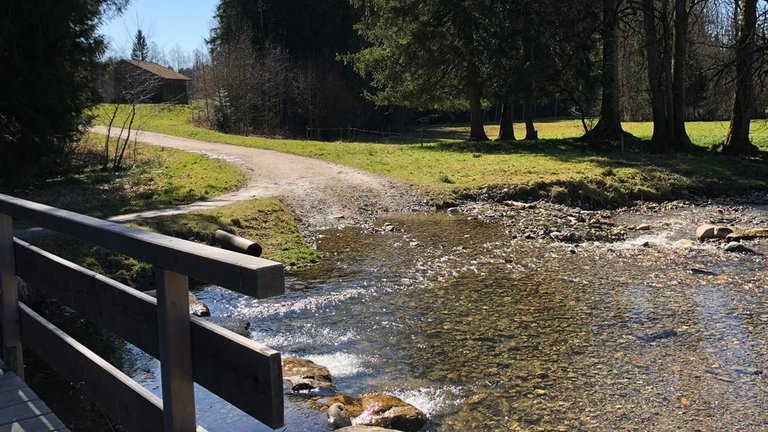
<point>49,60</point>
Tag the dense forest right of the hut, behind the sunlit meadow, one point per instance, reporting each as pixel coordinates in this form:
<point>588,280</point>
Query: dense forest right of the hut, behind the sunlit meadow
<point>279,67</point>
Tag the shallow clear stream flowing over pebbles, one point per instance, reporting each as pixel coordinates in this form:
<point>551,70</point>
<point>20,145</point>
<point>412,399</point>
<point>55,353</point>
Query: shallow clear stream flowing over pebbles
<point>483,332</point>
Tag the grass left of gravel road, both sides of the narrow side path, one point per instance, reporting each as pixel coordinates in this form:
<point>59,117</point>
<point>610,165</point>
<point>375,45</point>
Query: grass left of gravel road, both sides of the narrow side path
<point>157,178</point>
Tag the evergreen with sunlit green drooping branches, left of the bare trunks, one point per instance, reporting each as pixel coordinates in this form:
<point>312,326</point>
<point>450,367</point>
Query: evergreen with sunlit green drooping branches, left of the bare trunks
<point>426,55</point>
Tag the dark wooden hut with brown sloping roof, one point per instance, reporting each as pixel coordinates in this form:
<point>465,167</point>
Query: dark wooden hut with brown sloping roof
<point>144,82</point>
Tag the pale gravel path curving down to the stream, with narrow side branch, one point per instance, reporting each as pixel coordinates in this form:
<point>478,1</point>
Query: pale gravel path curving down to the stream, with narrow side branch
<point>321,194</point>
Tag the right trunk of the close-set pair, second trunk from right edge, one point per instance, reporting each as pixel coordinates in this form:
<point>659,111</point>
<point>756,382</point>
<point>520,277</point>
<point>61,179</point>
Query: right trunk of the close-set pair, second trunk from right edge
<point>682,14</point>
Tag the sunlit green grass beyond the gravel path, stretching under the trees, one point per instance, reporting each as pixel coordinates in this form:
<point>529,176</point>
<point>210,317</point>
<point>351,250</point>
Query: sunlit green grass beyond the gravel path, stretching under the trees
<point>446,166</point>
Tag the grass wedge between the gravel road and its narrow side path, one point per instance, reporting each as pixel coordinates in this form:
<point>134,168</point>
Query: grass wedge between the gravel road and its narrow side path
<point>159,178</point>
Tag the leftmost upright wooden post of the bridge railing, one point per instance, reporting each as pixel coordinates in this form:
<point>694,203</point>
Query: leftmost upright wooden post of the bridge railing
<point>9,299</point>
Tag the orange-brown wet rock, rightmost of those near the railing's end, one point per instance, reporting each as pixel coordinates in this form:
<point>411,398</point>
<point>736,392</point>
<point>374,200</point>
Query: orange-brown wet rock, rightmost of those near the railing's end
<point>390,412</point>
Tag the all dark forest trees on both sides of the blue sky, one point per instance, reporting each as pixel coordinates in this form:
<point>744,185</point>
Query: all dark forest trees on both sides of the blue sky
<point>287,67</point>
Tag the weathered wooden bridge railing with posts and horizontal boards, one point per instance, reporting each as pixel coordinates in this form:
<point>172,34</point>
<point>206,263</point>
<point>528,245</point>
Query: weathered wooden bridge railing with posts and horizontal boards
<point>246,374</point>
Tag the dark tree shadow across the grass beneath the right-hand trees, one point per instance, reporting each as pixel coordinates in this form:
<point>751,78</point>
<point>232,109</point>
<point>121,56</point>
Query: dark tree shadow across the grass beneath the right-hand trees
<point>651,176</point>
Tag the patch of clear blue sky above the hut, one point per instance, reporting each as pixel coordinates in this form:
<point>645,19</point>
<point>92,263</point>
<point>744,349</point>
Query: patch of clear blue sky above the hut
<point>165,22</point>
